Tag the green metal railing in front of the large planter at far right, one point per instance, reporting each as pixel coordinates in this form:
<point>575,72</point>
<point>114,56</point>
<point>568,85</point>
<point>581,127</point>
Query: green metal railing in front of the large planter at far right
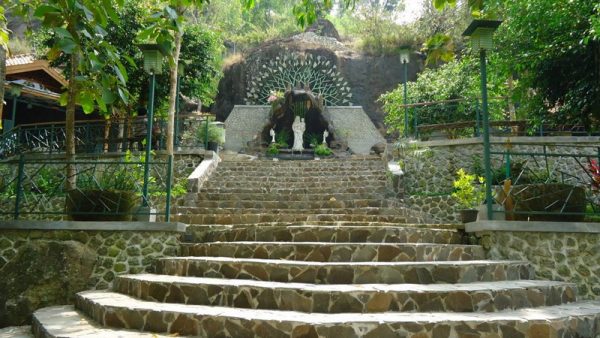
<point>555,183</point>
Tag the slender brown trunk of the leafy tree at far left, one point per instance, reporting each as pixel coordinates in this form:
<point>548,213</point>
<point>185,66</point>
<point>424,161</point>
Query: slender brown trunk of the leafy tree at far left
<point>71,182</point>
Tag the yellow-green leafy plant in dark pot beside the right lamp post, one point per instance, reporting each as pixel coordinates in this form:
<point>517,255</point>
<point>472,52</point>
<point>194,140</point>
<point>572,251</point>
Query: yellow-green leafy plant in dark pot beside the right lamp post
<point>469,194</point>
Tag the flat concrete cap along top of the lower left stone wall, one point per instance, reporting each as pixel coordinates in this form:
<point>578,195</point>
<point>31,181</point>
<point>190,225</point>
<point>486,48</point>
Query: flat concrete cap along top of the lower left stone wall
<point>93,226</point>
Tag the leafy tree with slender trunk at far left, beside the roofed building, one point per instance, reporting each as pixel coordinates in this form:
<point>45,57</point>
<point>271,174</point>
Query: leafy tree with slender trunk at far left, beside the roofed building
<point>79,31</point>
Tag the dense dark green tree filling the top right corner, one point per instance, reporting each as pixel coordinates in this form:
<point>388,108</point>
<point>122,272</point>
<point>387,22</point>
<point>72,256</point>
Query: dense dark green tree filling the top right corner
<point>556,62</point>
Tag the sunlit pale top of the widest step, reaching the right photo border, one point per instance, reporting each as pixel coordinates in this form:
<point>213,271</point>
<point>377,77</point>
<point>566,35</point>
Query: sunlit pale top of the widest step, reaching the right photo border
<point>113,302</point>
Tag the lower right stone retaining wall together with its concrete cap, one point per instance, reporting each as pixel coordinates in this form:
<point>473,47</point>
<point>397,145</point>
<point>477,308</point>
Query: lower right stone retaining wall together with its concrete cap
<point>567,252</point>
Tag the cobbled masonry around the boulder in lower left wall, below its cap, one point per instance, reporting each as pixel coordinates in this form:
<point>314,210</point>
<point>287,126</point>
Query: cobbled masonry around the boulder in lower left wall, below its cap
<point>118,252</point>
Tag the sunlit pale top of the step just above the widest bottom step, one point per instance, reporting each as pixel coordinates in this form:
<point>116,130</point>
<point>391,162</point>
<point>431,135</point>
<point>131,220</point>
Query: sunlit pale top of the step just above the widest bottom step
<point>375,288</point>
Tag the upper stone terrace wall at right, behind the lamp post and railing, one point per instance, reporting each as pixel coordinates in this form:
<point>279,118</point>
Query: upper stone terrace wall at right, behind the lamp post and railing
<point>428,176</point>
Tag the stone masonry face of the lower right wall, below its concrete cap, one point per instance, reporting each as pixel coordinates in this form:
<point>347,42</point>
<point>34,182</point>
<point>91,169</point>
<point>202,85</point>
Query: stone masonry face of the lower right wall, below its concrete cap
<point>559,256</point>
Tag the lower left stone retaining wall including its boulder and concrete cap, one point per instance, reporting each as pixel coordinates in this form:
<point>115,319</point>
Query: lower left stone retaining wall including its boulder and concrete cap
<point>47,263</point>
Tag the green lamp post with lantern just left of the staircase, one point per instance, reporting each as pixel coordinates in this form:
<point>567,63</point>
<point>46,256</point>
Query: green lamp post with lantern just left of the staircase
<point>152,65</point>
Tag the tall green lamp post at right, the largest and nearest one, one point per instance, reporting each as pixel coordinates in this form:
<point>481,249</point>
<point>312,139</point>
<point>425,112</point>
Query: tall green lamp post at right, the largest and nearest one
<point>481,33</point>
